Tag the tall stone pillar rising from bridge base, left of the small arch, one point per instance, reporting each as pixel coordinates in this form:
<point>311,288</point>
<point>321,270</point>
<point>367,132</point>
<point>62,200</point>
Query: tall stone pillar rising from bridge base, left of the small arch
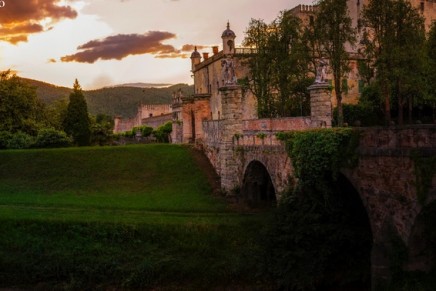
<point>232,124</point>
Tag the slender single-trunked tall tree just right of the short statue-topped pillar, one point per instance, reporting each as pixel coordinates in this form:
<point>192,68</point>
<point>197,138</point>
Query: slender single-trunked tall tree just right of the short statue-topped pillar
<point>333,30</point>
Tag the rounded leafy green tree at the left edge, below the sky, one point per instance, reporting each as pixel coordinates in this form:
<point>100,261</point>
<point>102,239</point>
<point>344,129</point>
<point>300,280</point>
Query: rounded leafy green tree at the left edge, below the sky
<point>20,108</point>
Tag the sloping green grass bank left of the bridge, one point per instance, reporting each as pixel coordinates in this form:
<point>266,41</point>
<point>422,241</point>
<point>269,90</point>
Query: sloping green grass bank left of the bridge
<point>120,217</point>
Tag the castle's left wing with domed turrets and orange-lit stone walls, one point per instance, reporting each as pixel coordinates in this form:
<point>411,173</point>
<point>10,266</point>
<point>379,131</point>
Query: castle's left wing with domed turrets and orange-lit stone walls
<point>211,73</point>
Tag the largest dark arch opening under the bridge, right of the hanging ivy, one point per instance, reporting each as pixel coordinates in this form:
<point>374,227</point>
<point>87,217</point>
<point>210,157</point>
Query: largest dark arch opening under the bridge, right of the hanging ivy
<point>350,260</point>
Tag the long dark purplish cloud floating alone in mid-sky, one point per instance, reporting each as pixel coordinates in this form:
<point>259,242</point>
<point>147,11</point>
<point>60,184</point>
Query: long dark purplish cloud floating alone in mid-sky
<point>122,45</point>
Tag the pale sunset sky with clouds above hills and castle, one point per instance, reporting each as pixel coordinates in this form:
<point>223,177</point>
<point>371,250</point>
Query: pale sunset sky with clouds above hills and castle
<point>110,42</point>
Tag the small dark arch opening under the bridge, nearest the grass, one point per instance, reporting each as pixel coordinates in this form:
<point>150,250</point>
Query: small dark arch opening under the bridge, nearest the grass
<point>257,187</point>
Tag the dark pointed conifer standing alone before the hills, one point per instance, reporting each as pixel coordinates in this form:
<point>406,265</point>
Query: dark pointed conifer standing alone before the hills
<point>77,122</point>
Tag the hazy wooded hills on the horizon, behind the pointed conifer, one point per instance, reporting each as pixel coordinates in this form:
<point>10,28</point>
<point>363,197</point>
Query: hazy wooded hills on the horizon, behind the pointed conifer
<point>121,100</point>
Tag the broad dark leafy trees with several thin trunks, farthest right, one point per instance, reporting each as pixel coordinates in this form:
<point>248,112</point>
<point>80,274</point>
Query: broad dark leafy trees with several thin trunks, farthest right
<point>394,40</point>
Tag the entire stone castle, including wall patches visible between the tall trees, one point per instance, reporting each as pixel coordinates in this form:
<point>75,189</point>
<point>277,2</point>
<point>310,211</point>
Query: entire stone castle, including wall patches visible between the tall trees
<point>212,74</point>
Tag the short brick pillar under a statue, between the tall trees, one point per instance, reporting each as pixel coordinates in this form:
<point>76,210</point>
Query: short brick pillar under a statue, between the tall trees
<point>320,105</point>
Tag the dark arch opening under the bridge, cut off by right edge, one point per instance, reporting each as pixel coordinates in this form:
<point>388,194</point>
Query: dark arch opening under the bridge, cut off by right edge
<point>422,242</point>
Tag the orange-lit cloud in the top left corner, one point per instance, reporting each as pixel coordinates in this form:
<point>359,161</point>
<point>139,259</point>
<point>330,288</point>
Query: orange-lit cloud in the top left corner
<point>19,18</point>
